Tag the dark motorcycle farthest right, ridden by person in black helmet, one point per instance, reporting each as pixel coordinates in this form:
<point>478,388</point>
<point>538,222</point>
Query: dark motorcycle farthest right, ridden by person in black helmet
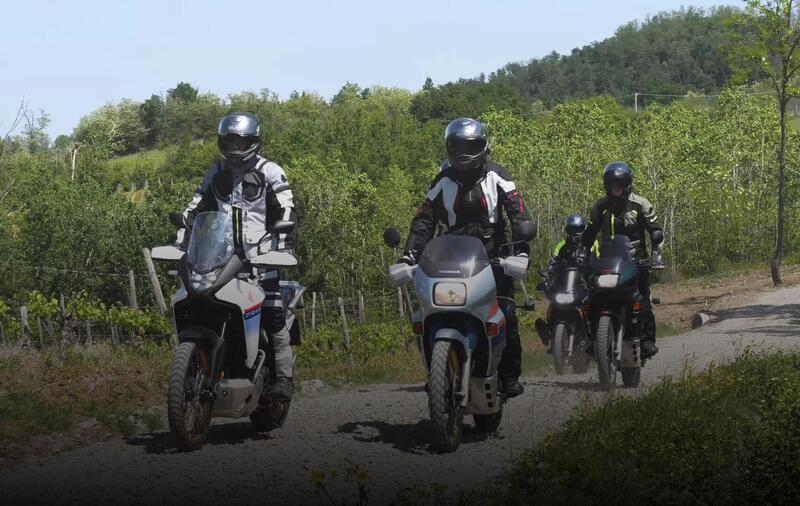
<point>615,306</point>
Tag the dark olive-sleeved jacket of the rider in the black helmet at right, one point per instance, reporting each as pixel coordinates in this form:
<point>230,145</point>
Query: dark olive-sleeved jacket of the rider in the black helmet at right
<point>633,216</point>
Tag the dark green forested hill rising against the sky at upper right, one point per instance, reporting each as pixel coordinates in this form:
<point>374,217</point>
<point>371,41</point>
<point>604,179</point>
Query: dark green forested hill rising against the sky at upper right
<point>669,53</point>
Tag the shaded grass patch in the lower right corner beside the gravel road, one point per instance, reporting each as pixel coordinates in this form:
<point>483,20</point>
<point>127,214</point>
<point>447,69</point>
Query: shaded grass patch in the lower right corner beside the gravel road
<point>728,435</point>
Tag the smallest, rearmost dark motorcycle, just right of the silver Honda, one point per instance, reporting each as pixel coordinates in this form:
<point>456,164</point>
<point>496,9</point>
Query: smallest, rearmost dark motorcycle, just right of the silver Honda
<point>565,330</point>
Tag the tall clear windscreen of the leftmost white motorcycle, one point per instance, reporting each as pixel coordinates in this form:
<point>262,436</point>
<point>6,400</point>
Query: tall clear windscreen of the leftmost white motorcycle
<point>211,243</point>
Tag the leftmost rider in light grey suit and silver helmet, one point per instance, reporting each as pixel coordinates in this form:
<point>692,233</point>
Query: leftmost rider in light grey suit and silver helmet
<point>256,193</point>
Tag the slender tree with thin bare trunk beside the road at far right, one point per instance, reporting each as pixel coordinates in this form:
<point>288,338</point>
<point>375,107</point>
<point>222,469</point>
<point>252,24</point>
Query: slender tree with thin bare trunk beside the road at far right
<point>766,45</point>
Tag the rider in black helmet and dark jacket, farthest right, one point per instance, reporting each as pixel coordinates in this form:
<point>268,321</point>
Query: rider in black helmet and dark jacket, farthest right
<point>623,212</point>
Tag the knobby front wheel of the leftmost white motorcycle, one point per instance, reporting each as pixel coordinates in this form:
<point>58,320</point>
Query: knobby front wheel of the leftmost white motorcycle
<point>189,401</point>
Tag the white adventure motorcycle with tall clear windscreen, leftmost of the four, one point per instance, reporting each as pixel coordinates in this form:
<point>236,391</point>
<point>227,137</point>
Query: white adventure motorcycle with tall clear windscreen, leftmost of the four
<point>222,365</point>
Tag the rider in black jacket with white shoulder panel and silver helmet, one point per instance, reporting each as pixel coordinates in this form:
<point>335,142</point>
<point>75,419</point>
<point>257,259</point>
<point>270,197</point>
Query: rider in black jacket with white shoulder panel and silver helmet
<point>466,198</point>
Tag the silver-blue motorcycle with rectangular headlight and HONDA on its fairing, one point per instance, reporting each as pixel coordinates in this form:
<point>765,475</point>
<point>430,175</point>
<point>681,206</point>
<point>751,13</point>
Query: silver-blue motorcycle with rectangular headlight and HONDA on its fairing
<point>460,329</point>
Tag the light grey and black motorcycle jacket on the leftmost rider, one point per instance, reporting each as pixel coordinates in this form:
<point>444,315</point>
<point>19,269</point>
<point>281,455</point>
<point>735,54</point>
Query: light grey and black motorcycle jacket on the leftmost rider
<point>256,195</point>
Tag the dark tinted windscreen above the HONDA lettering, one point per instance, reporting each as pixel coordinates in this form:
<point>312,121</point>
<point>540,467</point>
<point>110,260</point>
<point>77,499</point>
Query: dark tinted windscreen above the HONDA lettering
<point>453,256</point>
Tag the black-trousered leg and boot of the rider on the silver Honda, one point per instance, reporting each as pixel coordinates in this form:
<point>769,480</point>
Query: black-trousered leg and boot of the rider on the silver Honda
<point>510,366</point>
